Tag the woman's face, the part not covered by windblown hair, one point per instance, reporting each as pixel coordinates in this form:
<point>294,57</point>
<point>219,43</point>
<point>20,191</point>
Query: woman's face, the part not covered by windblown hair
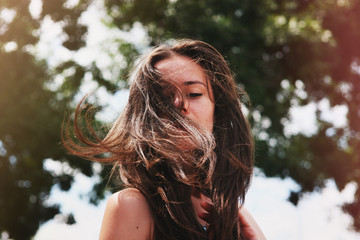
<point>197,93</point>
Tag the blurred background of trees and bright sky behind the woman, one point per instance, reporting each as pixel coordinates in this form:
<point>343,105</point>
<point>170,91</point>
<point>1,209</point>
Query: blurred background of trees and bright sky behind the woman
<point>299,61</point>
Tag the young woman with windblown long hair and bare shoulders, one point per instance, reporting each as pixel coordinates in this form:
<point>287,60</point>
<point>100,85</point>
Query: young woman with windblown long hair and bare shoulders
<point>183,149</point>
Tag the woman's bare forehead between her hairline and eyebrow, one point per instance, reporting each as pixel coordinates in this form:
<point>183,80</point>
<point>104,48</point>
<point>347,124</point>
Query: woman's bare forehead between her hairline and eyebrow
<point>181,70</point>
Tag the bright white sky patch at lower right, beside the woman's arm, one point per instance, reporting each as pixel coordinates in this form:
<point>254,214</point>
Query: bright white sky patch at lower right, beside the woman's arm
<point>317,216</point>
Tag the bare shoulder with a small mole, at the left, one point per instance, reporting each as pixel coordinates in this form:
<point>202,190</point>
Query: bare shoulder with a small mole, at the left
<point>127,216</point>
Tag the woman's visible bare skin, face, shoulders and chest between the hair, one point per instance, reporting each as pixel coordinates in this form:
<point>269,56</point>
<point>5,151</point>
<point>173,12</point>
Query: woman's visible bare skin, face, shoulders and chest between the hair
<point>128,215</point>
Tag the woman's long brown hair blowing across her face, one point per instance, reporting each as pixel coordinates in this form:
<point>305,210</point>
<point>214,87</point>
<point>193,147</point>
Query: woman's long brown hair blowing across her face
<point>144,145</point>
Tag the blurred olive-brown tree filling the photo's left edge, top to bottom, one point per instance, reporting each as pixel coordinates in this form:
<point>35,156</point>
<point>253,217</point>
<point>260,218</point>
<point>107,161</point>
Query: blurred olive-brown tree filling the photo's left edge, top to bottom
<point>31,116</point>
